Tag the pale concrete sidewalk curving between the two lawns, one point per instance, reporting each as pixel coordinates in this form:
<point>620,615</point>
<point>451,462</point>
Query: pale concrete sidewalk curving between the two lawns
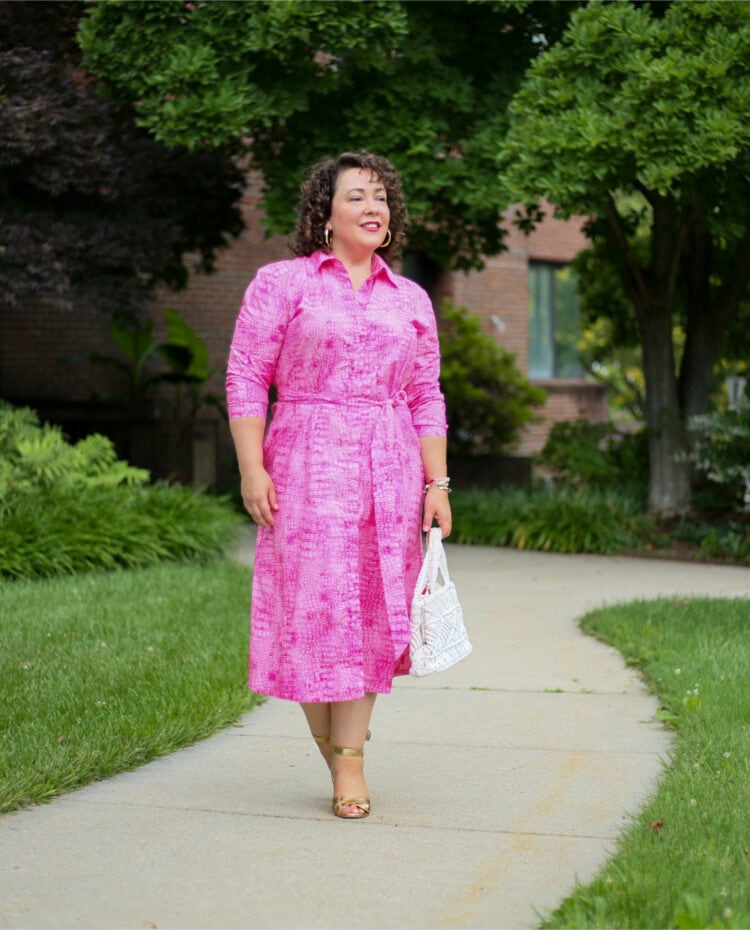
<point>493,785</point>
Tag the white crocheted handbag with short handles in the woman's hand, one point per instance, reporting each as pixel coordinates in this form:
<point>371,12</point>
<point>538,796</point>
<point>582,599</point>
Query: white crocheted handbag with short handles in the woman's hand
<point>438,635</point>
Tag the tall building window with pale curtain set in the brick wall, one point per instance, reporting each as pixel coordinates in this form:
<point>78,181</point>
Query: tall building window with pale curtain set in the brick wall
<point>554,324</point>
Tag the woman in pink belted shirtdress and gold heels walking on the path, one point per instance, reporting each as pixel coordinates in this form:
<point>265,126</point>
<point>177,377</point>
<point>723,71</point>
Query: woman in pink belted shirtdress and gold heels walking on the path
<point>354,451</point>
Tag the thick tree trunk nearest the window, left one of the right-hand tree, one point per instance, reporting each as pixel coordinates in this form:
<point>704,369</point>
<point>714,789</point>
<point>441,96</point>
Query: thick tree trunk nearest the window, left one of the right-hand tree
<point>669,485</point>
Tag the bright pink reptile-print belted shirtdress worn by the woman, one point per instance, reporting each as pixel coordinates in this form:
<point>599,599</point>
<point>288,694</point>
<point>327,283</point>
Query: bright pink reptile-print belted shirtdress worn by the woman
<point>357,379</point>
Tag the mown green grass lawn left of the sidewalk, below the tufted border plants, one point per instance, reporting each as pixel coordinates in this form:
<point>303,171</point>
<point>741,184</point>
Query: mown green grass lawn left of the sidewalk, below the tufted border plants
<point>101,672</point>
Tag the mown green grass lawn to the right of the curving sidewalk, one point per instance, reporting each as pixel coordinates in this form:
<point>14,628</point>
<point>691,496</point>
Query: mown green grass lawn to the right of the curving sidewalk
<point>685,859</point>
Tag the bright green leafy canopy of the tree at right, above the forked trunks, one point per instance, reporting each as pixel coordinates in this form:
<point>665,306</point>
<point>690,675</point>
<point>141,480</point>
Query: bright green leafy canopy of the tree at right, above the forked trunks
<point>630,99</point>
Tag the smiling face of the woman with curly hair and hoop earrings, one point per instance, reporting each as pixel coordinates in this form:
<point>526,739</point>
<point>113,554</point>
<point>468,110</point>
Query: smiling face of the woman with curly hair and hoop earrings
<point>359,214</point>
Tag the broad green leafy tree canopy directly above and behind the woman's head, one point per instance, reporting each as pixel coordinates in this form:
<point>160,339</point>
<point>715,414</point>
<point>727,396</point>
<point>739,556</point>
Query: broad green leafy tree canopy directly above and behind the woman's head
<point>425,84</point>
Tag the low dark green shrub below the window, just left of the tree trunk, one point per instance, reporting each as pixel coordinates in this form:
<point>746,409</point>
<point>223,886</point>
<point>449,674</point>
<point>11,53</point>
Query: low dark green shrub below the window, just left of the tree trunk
<point>596,455</point>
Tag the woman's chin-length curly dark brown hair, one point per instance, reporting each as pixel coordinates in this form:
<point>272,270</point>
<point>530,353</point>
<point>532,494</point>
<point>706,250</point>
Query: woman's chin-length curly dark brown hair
<point>316,197</point>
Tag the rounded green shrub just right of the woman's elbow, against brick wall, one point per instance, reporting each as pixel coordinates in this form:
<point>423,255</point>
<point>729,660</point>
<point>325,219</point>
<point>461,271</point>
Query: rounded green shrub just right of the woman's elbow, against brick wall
<point>489,401</point>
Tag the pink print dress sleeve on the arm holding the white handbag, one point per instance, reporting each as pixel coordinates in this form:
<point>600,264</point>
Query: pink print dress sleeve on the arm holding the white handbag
<point>423,394</point>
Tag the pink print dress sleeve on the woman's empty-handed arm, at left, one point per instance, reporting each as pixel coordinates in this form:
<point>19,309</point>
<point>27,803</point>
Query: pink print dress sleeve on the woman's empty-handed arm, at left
<point>257,340</point>
